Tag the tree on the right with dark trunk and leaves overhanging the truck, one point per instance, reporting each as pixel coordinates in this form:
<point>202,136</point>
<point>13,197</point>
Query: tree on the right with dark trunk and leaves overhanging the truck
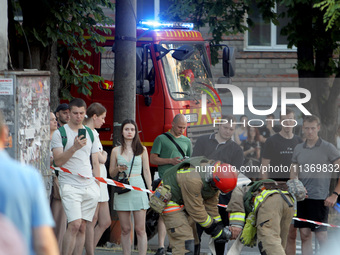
<point>306,30</point>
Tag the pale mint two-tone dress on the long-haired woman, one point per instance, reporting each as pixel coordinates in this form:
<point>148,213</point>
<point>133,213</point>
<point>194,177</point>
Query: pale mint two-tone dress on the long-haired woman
<point>133,200</point>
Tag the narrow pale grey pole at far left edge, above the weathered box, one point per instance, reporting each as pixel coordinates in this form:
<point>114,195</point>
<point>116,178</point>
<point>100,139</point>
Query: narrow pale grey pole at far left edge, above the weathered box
<point>3,35</point>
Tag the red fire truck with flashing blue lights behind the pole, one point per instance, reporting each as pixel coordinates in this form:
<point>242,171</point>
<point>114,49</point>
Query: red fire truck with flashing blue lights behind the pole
<point>173,72</point>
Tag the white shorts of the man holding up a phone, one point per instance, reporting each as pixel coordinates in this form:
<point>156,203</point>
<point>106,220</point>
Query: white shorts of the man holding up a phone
<point>79,202</point>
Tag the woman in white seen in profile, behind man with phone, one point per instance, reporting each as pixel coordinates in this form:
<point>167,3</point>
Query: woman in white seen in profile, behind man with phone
<point>96,114</point>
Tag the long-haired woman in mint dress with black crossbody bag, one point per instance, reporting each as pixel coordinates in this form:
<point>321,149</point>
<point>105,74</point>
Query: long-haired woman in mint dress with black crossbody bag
<point>131,157</point>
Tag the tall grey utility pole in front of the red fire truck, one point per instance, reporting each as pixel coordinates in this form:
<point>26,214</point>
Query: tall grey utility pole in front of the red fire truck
<point>125,64</point>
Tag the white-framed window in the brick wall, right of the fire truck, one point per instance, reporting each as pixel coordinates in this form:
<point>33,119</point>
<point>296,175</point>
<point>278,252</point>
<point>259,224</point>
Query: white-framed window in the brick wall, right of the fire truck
<point>266,36</point>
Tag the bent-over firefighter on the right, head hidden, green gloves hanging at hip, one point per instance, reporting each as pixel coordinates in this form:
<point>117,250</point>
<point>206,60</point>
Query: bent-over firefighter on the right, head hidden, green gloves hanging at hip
<point>263,211</point>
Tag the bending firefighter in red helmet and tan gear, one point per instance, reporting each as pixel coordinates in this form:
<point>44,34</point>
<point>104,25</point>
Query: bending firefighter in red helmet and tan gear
<point>194,185</point>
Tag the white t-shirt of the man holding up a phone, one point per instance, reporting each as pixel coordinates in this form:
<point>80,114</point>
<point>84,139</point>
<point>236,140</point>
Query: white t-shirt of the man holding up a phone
<point>79,162</point>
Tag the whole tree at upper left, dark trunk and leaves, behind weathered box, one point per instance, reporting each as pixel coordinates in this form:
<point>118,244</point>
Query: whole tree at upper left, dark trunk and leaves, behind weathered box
<point>54,29</point>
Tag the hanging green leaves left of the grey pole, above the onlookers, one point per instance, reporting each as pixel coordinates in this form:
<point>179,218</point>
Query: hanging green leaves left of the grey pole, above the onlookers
<point>71,23</point>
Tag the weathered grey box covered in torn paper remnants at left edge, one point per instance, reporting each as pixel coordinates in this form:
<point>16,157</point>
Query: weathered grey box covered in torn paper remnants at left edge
<point>25,103</point>
